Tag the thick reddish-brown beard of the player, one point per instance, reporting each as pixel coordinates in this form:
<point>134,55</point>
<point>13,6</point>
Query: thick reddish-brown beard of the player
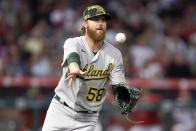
<point>96,35</point>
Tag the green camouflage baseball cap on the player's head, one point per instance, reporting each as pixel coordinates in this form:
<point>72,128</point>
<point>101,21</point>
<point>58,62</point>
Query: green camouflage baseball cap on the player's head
<point>95,10</point>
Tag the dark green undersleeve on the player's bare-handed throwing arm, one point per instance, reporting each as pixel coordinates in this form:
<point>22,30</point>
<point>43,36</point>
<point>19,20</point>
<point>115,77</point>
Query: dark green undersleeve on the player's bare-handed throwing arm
<point>73,57</point>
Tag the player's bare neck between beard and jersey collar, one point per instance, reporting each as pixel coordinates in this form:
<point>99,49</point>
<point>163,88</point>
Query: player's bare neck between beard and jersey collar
<point>93,45</point>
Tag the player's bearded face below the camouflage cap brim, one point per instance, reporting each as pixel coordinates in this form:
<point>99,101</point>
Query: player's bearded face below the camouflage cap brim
<point>96,29</point>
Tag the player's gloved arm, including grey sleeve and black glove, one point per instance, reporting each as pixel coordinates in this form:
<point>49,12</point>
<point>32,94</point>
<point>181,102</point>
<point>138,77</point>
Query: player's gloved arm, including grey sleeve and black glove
<point>126,96</point>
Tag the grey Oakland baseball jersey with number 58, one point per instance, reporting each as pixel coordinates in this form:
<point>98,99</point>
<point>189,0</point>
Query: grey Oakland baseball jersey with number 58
<point>88,92</point>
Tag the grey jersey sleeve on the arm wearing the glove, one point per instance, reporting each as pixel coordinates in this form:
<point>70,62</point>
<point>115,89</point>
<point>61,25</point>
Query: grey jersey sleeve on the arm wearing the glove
<point>117,74</point>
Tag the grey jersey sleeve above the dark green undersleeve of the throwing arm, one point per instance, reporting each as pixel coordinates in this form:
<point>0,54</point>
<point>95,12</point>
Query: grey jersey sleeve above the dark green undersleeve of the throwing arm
<point>69,46</point>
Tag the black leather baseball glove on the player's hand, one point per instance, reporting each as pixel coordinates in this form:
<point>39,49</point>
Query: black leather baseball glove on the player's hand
<point>126,96</point>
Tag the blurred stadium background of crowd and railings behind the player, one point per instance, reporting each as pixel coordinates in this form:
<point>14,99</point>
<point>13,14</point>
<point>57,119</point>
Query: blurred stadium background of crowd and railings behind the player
<point>159,56</point>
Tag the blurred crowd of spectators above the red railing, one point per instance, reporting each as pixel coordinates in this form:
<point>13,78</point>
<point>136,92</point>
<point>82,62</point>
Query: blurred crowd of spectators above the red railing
<point>161,35</point>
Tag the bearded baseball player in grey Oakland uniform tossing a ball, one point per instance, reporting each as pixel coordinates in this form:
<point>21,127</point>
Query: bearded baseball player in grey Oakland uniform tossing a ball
<point>90,63</point>
